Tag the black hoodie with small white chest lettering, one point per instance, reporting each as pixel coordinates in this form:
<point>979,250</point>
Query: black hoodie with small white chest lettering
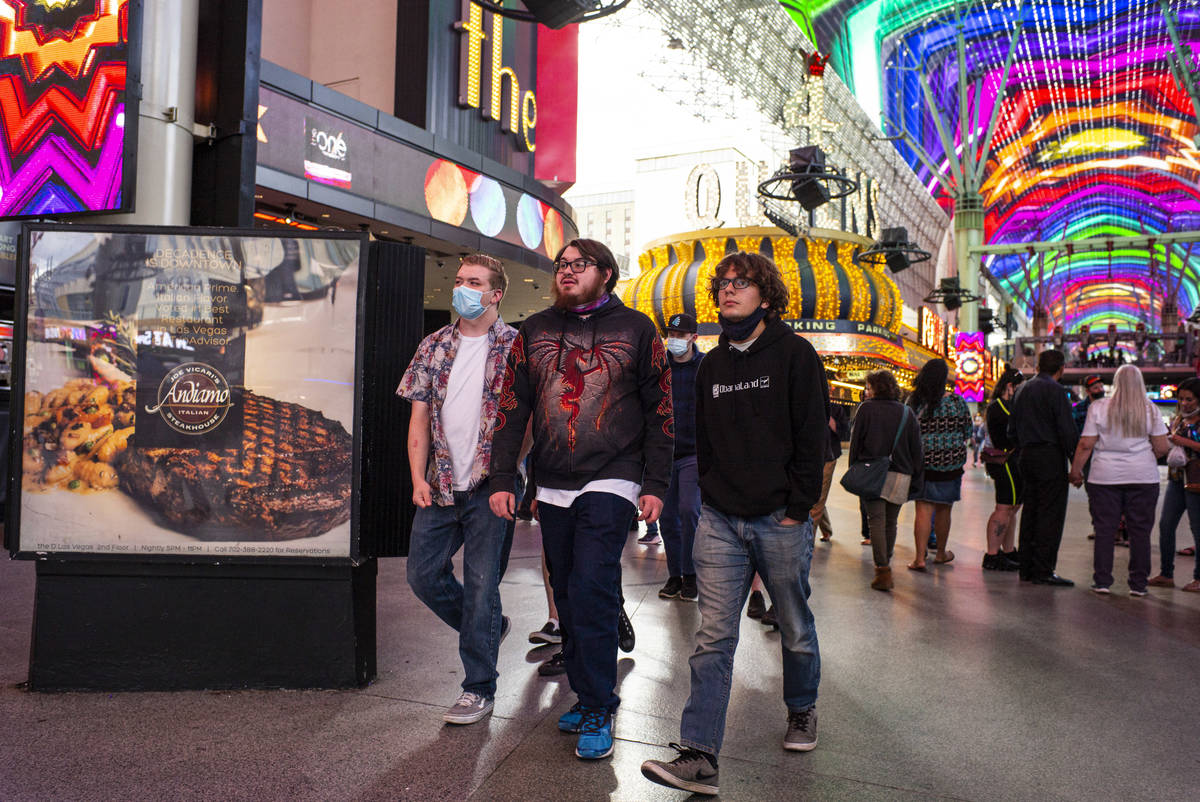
<point>763,426</point>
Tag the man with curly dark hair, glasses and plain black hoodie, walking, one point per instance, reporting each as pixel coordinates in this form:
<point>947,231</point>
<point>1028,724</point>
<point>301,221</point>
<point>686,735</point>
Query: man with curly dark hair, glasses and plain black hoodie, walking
<point>761,438</point>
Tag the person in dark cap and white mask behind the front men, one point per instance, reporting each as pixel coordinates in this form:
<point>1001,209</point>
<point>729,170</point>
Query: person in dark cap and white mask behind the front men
<point>681,508</point>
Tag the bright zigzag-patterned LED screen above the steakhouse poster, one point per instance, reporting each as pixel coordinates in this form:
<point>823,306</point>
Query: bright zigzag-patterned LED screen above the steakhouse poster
<point>68,117</point>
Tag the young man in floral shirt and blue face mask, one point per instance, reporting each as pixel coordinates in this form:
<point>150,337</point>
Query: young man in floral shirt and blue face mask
<point>454,385</point>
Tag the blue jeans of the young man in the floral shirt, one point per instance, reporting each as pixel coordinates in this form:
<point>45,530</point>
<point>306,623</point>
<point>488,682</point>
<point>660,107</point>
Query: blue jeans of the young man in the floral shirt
<point>472,608</point>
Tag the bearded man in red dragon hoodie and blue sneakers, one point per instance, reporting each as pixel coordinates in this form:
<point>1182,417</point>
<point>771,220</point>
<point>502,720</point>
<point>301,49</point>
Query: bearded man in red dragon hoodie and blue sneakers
<point>595,376</point>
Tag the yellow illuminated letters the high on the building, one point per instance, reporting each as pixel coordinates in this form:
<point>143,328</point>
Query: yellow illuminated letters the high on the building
<point>521,116</point>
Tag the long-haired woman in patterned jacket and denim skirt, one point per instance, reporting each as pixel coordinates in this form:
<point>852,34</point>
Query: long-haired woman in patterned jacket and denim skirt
<point>945,433</point>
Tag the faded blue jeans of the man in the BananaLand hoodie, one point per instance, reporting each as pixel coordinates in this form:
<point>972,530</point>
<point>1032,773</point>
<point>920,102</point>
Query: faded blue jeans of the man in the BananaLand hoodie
<point>729,552</point>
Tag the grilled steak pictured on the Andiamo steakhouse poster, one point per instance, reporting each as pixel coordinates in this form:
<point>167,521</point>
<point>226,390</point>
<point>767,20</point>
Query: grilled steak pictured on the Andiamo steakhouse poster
<point>291,478</point>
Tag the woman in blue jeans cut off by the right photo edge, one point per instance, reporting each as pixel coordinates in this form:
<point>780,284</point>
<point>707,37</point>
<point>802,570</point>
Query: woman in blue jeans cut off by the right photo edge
<point>1185,438</point>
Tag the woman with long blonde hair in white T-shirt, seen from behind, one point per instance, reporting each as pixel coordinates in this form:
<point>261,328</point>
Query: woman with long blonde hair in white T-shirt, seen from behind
<point>1124,436</point>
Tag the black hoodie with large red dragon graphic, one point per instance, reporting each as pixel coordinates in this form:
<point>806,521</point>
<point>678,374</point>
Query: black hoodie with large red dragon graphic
<point>599,391</point>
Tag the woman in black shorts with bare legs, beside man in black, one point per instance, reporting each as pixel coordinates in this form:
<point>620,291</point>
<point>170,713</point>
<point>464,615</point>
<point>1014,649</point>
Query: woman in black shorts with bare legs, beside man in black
<point>1004,466</point>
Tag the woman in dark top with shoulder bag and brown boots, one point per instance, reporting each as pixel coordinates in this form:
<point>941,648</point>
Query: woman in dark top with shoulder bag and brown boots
<point>875,435</point>
